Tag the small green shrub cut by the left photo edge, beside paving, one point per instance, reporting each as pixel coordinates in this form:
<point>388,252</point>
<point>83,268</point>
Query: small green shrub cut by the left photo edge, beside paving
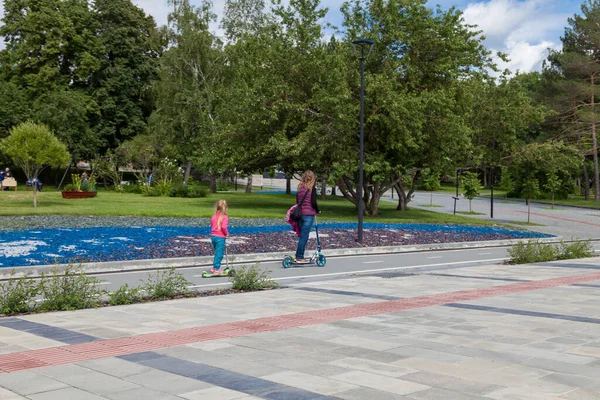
<point>18,295</point>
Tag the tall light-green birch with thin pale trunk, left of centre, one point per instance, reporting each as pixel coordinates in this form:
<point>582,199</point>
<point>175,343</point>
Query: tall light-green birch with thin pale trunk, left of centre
<point>189,88</point>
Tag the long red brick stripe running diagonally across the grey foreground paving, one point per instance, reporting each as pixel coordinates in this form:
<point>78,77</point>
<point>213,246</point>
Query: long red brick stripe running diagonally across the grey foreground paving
<point>147,342</point>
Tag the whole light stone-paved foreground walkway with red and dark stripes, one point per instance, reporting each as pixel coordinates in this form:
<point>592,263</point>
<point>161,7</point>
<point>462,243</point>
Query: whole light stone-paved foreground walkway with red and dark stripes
<point>479,332</point>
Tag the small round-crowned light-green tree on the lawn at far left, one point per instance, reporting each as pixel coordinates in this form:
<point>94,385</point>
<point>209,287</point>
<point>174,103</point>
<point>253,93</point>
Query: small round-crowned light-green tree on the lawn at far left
<point>33,147</point>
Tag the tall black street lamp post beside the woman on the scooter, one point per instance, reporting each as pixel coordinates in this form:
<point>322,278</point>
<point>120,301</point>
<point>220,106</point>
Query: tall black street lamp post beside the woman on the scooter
<point>363,45</point>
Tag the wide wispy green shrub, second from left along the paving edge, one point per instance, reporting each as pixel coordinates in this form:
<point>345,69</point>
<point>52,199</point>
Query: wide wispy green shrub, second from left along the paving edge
<point>71,290</point>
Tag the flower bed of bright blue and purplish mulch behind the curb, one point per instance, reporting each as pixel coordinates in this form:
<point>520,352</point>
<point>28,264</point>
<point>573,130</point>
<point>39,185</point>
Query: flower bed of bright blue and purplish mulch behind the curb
<point>89,239</point>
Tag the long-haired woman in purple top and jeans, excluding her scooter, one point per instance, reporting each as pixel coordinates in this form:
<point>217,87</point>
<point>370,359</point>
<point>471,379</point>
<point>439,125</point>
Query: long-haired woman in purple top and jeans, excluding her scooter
<point>306,198</point>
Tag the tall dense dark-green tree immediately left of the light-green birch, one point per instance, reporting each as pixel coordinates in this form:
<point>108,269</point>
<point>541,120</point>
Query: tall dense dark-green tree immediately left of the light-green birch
<point>130,45</point>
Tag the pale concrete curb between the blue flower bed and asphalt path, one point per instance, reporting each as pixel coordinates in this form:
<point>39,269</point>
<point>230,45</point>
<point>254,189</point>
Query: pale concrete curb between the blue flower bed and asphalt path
<point>98,268</point>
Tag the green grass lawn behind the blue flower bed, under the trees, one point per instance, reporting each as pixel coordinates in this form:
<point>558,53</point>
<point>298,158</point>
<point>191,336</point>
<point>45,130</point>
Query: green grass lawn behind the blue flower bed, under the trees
<point>241,205</point>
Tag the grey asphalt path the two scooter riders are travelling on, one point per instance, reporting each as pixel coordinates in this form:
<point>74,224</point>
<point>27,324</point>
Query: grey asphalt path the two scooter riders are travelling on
<point>336,267</point>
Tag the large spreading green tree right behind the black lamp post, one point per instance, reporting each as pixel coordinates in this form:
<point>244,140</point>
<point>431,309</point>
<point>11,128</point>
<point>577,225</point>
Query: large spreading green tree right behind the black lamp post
<point>417,78</point>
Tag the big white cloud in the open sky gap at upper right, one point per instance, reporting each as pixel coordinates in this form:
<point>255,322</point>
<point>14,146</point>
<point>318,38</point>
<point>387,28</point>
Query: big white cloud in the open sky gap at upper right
<point>521,29</point>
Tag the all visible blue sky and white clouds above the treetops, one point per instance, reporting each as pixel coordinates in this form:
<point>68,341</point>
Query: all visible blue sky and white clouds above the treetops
<point>523,29</point>
